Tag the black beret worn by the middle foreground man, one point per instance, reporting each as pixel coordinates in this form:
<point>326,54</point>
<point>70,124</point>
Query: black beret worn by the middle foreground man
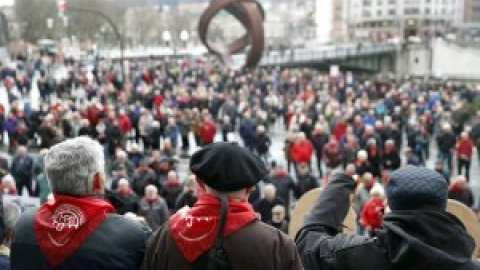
<point>227,167</point>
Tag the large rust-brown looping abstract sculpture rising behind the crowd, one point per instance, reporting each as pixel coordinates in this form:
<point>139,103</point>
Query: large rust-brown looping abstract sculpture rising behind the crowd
<point>251,15</point>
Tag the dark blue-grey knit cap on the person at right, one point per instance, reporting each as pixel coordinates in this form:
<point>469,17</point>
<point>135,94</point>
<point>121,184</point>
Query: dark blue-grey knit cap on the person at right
<point>413,188</point>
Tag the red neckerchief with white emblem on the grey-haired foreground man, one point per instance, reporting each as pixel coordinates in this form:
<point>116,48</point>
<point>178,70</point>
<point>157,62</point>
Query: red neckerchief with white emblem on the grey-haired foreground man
<point>63,226</point>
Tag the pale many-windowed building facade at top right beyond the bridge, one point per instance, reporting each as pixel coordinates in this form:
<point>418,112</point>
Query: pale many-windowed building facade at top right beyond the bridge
<point>383,19</point>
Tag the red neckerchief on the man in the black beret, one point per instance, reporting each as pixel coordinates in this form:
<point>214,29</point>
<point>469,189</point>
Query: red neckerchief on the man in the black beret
<point>195,230</point>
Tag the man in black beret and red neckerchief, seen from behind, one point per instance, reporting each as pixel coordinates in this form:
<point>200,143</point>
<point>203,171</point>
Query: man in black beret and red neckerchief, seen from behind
<point>222,231</point>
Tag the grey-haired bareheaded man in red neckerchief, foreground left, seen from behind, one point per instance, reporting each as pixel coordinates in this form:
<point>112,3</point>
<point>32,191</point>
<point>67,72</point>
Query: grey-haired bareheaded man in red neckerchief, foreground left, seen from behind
<point>79,230</point>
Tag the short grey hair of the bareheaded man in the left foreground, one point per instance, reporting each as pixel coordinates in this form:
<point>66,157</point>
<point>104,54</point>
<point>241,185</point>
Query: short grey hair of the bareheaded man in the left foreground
<point>72,165</point>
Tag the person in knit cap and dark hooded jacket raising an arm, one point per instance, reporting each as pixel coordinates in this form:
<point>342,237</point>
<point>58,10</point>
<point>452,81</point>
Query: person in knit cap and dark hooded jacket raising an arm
<point>418,234</point>
